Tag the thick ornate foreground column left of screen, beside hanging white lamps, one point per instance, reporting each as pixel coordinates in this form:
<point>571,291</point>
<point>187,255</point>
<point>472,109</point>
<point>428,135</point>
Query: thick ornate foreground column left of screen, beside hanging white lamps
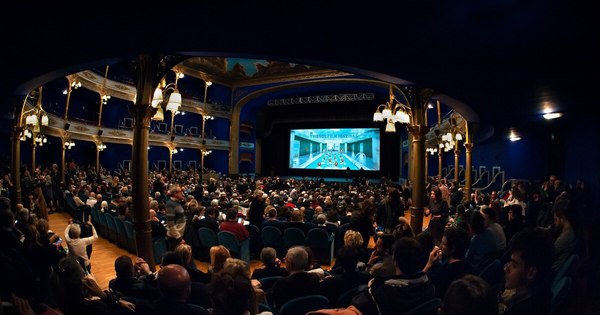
<point>142,113</point>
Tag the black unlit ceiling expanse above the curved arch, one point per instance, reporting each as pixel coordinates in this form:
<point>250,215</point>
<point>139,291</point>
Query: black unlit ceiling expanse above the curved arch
<point>502,58</point>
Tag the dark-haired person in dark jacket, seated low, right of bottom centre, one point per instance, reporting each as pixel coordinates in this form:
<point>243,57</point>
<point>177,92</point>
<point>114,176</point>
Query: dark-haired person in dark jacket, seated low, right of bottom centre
<point>403,291</point>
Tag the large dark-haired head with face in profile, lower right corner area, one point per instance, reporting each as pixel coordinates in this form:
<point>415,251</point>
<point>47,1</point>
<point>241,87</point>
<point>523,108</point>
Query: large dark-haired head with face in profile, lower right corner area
<point>531,258</point>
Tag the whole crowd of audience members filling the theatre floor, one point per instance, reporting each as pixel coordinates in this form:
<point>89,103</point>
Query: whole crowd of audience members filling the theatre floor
<point>533,230</point>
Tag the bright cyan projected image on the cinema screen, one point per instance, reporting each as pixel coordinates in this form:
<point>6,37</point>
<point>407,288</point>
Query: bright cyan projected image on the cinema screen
<point>335,149</point>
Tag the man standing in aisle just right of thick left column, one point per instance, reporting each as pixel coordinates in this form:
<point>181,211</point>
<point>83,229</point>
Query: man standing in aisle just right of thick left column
<point>175,217</point>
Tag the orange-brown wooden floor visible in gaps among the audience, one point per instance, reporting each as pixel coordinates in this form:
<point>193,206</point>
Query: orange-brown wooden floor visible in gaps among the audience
<point>104,252</point>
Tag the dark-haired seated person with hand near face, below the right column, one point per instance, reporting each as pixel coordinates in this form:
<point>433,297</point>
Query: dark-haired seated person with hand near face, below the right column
<point>447,262</point>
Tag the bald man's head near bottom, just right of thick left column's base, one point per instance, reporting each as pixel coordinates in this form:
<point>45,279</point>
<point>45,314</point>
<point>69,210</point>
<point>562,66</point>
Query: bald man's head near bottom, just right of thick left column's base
<point>174,282</point>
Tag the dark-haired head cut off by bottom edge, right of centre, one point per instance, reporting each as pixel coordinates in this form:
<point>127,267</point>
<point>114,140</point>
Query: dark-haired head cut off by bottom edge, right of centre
<point>470,295</point>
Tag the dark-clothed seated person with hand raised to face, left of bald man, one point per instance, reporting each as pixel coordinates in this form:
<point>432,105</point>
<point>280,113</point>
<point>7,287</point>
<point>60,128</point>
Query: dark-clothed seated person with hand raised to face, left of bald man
<point>127,283</point>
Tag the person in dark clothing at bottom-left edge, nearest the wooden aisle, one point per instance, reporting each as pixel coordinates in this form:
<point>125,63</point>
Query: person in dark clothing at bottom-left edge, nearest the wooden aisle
<point>78,293</point>
